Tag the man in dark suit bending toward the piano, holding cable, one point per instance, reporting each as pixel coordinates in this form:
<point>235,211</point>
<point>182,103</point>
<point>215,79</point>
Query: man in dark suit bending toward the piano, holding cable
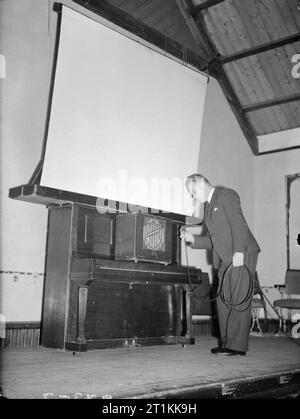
<point>233,243</point>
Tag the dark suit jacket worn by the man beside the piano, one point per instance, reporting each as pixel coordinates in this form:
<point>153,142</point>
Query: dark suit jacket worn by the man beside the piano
<point>227,227</point>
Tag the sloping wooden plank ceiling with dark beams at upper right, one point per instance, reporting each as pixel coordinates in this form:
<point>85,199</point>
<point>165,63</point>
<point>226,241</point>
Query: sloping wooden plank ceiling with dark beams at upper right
<point>248,45</point>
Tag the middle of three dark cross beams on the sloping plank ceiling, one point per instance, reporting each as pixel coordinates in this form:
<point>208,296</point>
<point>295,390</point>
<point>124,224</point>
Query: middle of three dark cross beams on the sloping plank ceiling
<point>261,48</point>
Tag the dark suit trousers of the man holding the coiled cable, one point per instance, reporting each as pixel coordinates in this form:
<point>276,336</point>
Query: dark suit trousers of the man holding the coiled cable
<point>235,318</point>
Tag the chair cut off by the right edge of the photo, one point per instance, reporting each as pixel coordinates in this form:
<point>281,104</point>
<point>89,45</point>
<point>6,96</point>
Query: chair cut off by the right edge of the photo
<point>290,288</point>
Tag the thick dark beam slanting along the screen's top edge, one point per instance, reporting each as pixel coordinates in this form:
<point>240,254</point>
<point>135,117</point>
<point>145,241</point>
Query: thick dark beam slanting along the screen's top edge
<point>124,20</point>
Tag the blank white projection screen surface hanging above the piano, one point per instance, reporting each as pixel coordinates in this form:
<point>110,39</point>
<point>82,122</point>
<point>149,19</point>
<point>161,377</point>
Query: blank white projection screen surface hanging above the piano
<point>125,120</point>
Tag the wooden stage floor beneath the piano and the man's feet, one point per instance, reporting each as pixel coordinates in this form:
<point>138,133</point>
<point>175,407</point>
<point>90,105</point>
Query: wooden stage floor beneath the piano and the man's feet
<point>166,372</point>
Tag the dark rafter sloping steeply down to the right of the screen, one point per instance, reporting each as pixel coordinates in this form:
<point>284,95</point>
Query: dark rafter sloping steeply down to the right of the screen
<point>215,68</point>
